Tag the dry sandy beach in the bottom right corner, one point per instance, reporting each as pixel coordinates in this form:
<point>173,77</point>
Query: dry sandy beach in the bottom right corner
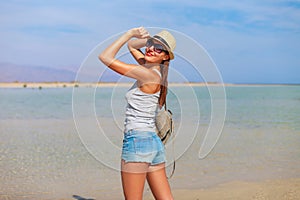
<point>287,189</point>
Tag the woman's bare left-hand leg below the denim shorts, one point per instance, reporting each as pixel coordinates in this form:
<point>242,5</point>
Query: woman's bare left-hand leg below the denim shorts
<point>133,179</point>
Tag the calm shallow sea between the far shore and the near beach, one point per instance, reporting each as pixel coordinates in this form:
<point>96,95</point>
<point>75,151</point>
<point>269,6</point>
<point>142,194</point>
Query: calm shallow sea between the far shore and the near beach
<point>42,155</point>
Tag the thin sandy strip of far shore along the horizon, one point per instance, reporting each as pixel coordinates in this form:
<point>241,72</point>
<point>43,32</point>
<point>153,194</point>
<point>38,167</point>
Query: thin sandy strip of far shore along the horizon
<point>41,85</point>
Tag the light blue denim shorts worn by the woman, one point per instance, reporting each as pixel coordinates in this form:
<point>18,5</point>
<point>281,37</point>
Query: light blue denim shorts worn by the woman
<point>143,146</point>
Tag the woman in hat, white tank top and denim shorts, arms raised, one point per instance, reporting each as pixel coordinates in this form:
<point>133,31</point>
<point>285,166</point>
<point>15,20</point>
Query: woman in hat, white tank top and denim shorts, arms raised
<point>143,155</point>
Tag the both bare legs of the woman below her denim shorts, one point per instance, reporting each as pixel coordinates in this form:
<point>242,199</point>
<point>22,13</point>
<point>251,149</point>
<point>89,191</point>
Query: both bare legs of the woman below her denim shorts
<point>134,176</point>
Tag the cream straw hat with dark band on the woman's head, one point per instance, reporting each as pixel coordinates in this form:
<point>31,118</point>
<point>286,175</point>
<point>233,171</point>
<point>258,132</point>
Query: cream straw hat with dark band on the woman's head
<point>168,40</point>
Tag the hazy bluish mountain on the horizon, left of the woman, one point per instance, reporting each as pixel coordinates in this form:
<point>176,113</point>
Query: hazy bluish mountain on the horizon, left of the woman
<point>24,73</point>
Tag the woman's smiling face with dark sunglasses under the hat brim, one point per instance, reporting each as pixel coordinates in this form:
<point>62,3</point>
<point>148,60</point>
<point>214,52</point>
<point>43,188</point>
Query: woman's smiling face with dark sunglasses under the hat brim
<point>155,52</point>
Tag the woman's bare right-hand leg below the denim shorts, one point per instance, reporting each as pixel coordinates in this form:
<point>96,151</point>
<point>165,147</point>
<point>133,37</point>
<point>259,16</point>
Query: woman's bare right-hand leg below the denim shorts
<point>158,182</point>
